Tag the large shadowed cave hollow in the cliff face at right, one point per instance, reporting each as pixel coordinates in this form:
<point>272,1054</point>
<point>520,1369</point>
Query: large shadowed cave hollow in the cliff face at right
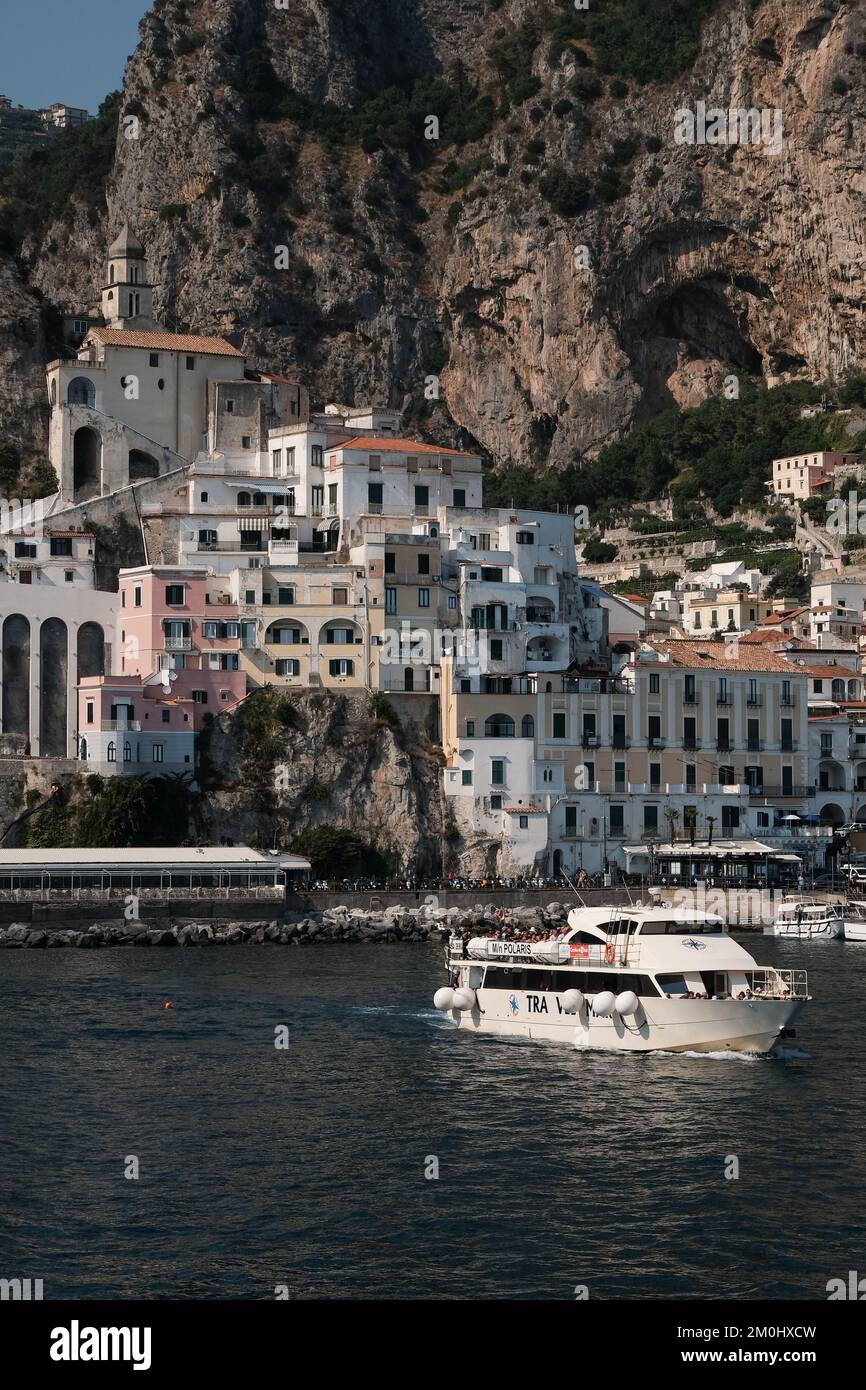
<point>692,334</point>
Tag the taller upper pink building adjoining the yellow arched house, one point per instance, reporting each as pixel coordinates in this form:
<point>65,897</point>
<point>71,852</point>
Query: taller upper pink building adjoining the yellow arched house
<point>174,625</point>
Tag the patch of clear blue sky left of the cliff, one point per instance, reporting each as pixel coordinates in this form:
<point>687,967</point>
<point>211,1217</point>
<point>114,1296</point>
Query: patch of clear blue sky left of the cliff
<point>66,51</point>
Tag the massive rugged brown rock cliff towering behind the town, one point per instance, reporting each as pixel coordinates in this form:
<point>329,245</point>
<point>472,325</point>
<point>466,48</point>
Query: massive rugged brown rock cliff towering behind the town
<point>251,127</point>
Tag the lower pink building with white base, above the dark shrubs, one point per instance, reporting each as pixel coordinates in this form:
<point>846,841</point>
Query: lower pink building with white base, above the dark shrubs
<point>133,725</point>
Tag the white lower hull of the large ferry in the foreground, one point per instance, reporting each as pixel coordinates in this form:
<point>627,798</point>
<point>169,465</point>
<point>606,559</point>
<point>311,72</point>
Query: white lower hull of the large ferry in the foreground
<point>661,1025</point>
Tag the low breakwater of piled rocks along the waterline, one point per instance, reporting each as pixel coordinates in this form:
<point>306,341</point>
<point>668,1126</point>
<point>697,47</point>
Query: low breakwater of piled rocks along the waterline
<point>334,925</point>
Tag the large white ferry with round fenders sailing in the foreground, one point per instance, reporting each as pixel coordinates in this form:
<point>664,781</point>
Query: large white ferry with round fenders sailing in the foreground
<point>629,979</point>
